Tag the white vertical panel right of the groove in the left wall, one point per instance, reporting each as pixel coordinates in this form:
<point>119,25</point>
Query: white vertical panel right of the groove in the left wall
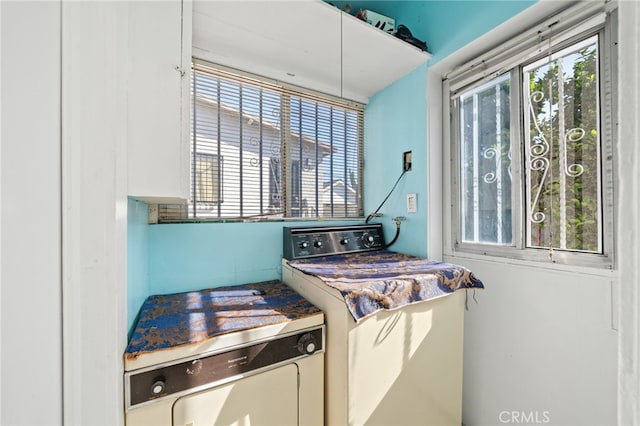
<point>94,171</point>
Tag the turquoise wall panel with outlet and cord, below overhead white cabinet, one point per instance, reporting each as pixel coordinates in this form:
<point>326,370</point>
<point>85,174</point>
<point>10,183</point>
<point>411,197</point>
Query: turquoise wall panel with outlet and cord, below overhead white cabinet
<point>395,122</point>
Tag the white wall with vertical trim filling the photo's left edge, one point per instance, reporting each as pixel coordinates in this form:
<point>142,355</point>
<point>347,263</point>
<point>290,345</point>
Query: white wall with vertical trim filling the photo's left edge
<point>63,221</point>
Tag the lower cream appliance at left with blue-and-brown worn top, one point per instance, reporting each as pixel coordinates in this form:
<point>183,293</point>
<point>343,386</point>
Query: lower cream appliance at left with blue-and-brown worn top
<point>242,355</point>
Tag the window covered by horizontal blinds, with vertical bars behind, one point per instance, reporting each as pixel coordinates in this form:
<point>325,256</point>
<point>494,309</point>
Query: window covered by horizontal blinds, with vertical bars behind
<point>282,148</point>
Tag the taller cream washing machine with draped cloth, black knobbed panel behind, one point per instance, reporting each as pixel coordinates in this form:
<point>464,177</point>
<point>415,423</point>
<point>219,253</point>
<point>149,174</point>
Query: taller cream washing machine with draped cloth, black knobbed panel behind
<point>394,367</point>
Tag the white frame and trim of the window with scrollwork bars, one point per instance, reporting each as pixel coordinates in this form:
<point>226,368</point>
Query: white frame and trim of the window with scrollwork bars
<point>576,21</point>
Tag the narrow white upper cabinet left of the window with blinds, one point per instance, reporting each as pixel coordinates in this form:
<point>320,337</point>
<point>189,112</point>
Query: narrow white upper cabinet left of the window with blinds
<point>159,61</point>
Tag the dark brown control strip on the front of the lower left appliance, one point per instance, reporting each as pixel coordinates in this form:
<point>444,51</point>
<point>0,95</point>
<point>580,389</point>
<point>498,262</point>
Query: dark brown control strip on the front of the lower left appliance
<point>150,384</point>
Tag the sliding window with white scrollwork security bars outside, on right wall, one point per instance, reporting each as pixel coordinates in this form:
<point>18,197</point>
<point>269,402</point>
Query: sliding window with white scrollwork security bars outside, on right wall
<point>532,143</point>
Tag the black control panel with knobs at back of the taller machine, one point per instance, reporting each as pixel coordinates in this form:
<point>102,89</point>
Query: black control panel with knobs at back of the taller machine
<point>304,242</point>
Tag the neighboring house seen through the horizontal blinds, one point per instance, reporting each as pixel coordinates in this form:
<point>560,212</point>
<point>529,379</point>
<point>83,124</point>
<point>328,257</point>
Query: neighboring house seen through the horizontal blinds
<point>258,157</point>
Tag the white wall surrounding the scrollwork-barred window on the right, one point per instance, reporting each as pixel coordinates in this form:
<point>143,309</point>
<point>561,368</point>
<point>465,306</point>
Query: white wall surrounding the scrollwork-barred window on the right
<point>559,343</point>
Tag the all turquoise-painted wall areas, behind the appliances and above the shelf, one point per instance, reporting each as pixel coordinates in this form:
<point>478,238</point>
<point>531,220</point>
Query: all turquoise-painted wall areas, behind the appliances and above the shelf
<point>182,257</point>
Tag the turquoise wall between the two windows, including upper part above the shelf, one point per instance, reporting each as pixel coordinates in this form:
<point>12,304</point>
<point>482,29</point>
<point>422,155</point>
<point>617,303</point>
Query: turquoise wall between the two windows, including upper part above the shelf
<point>395,118</point>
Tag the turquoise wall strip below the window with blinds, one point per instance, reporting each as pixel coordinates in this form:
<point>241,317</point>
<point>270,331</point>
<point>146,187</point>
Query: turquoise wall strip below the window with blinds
<point>191,256</point>
